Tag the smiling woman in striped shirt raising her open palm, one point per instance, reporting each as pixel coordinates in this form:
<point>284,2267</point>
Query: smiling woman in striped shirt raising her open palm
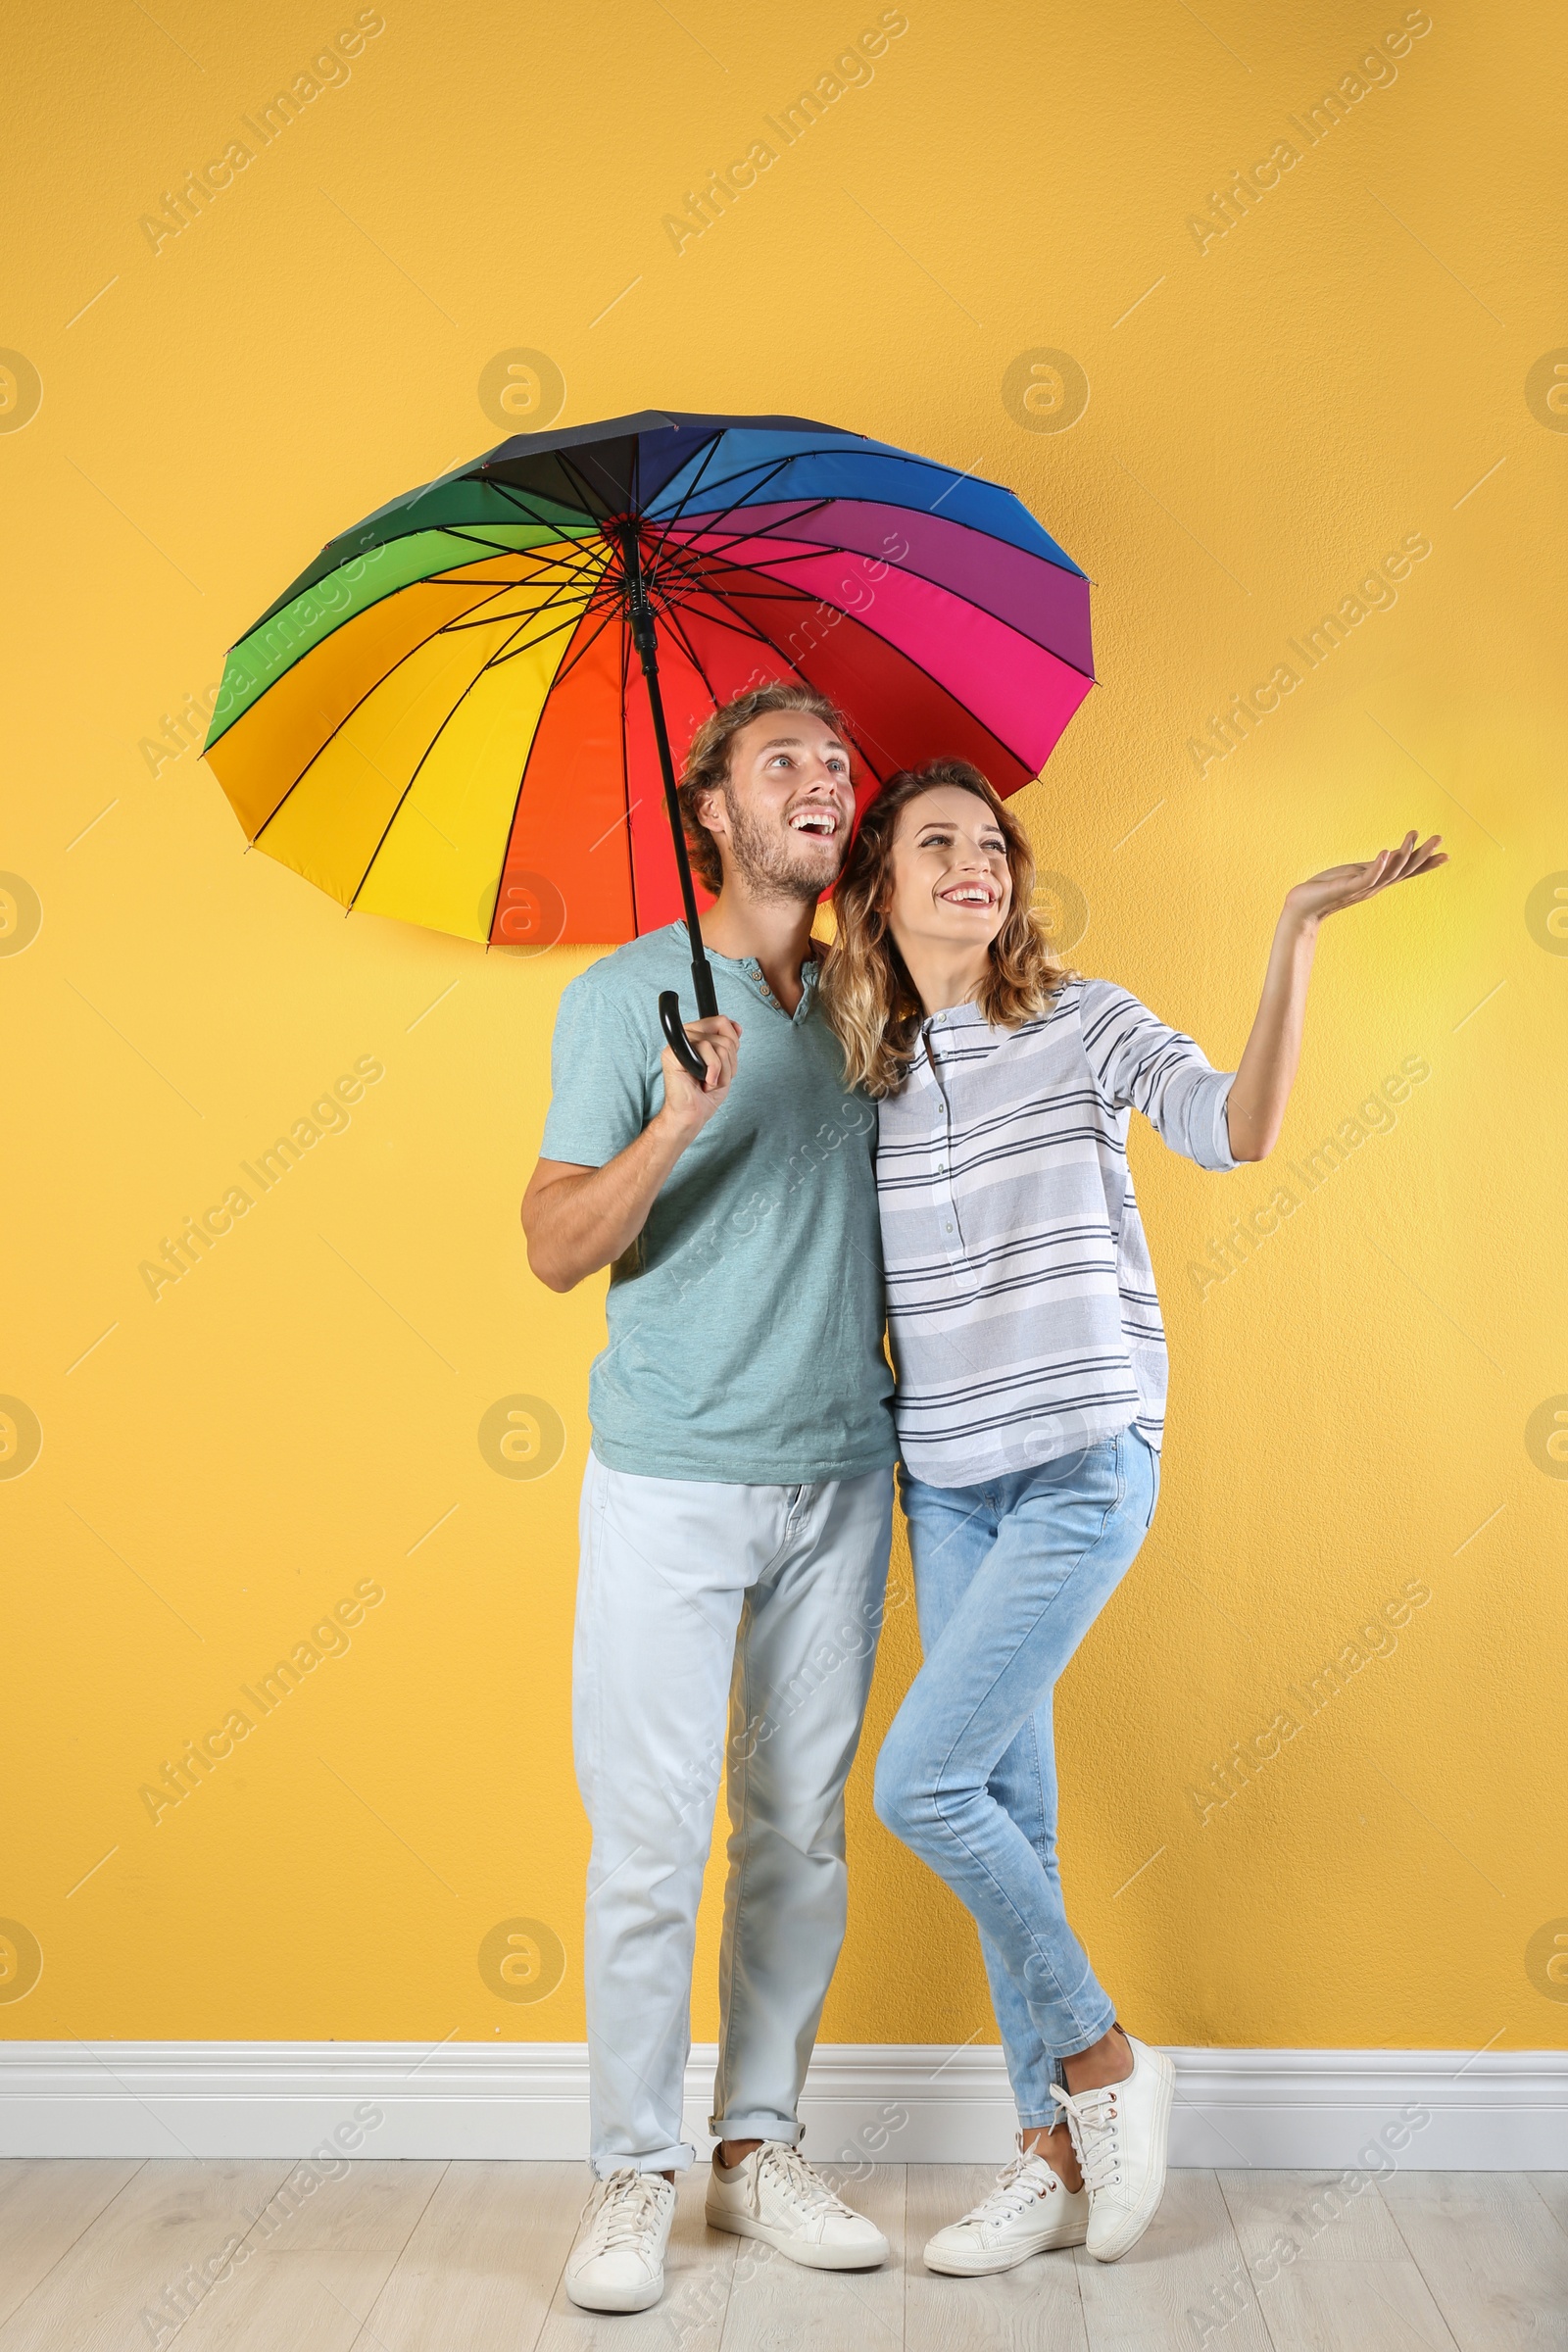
<point>1031,1396</point>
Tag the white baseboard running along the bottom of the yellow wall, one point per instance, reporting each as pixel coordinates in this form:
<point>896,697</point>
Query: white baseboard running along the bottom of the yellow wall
<point>894,2104</point>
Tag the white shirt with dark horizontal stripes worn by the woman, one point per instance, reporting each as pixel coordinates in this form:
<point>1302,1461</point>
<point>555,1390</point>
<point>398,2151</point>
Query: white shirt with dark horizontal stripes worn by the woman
<point>1021,1297</point>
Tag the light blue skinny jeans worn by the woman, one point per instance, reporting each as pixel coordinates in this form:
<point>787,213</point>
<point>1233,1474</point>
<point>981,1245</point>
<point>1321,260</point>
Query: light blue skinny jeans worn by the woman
<point>1007,1579</point>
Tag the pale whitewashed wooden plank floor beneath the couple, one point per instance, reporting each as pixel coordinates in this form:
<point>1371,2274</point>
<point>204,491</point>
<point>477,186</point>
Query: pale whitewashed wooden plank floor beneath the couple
<point>469,2257</point>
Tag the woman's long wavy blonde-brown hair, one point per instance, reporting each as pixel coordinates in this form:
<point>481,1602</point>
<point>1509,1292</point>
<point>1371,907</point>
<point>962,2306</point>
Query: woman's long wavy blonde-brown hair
<point>866,989</point>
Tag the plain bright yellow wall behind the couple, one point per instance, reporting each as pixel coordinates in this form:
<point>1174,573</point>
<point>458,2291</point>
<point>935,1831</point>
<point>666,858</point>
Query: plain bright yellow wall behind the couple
<point>1268,415</point>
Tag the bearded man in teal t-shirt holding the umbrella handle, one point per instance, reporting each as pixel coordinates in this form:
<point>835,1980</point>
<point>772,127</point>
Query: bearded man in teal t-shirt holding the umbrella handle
<point>737,1504</point>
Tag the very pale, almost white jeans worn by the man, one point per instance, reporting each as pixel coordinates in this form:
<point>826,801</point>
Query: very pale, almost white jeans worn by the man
<point>692,1598</point>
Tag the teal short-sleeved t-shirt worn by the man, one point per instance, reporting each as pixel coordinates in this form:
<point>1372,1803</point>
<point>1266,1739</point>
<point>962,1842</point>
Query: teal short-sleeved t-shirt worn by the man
<point>746,1321</point>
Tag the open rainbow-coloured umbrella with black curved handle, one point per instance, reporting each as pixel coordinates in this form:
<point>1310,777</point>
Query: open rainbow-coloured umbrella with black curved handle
<point>436,721</point>
